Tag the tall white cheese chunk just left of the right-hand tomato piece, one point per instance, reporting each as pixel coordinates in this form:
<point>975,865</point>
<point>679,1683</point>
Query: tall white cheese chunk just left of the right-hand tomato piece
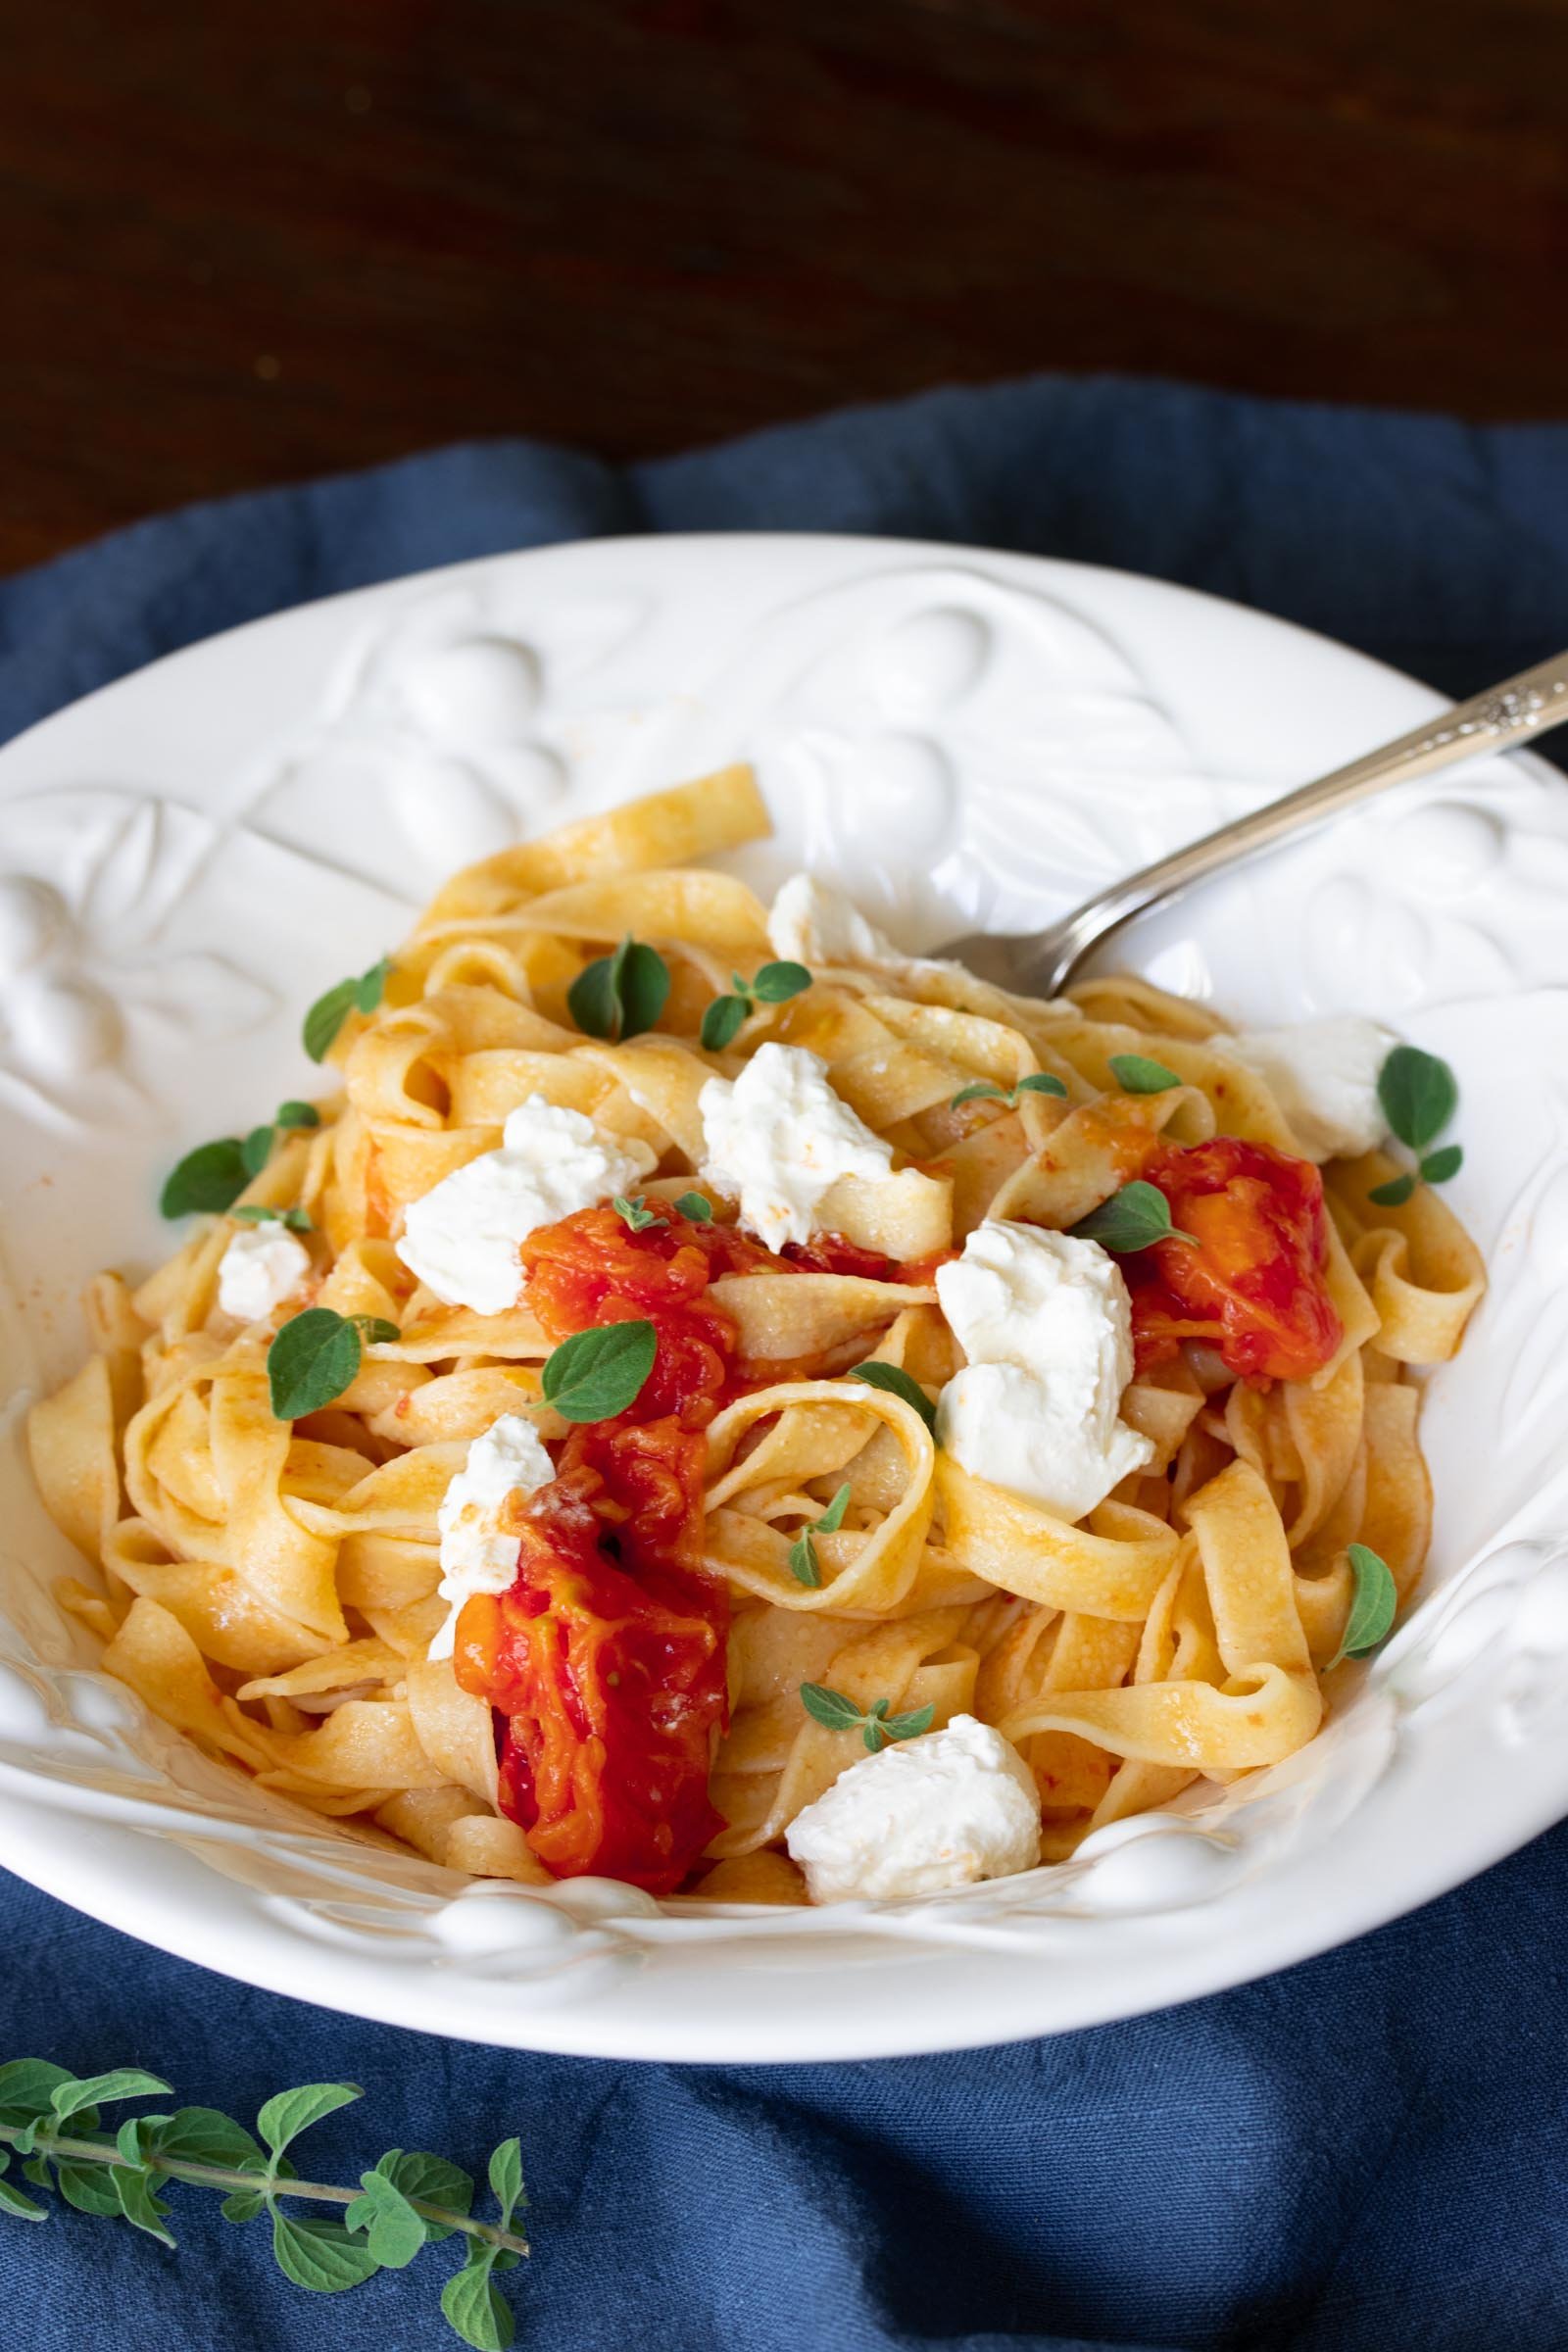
<point>1047,1328</point>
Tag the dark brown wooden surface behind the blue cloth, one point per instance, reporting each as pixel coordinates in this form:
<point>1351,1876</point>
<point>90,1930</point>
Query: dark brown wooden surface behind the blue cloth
<point>257,239</point>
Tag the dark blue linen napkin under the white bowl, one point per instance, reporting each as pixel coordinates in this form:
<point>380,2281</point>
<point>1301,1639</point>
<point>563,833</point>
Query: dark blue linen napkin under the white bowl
<point>1365,2153</point>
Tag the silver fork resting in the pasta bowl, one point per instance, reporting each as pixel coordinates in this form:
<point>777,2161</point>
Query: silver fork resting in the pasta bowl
<point>1043,963</point>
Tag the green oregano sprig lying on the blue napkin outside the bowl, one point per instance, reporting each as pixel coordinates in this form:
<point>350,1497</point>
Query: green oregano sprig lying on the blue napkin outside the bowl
<point>410,2200</point>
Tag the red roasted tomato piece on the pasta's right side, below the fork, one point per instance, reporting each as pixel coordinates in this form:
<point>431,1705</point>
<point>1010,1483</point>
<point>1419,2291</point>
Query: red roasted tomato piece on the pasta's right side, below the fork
<point>1254,1288</point>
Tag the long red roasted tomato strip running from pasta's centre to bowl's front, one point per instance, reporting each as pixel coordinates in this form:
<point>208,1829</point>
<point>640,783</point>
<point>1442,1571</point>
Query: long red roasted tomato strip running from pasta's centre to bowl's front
<point>605,1659</point>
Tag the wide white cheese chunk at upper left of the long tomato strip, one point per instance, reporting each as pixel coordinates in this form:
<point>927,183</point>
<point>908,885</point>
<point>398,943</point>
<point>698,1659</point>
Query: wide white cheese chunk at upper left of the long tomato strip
<point>464,1236</point>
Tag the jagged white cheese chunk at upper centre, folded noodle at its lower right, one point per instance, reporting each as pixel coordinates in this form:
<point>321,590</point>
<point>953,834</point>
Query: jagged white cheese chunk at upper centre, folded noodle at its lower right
<point>779,1137</point>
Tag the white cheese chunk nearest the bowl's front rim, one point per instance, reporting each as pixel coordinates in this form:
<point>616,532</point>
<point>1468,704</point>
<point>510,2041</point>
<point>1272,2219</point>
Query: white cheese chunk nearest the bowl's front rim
<point>944,1810</point>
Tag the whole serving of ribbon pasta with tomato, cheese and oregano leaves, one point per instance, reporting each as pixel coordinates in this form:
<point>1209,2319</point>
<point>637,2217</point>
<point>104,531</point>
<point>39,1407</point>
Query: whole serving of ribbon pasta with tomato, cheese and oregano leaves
<point>716,1403</point>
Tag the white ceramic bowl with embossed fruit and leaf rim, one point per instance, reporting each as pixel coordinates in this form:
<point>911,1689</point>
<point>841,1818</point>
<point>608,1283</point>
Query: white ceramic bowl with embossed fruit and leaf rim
<point>963,740</point>
